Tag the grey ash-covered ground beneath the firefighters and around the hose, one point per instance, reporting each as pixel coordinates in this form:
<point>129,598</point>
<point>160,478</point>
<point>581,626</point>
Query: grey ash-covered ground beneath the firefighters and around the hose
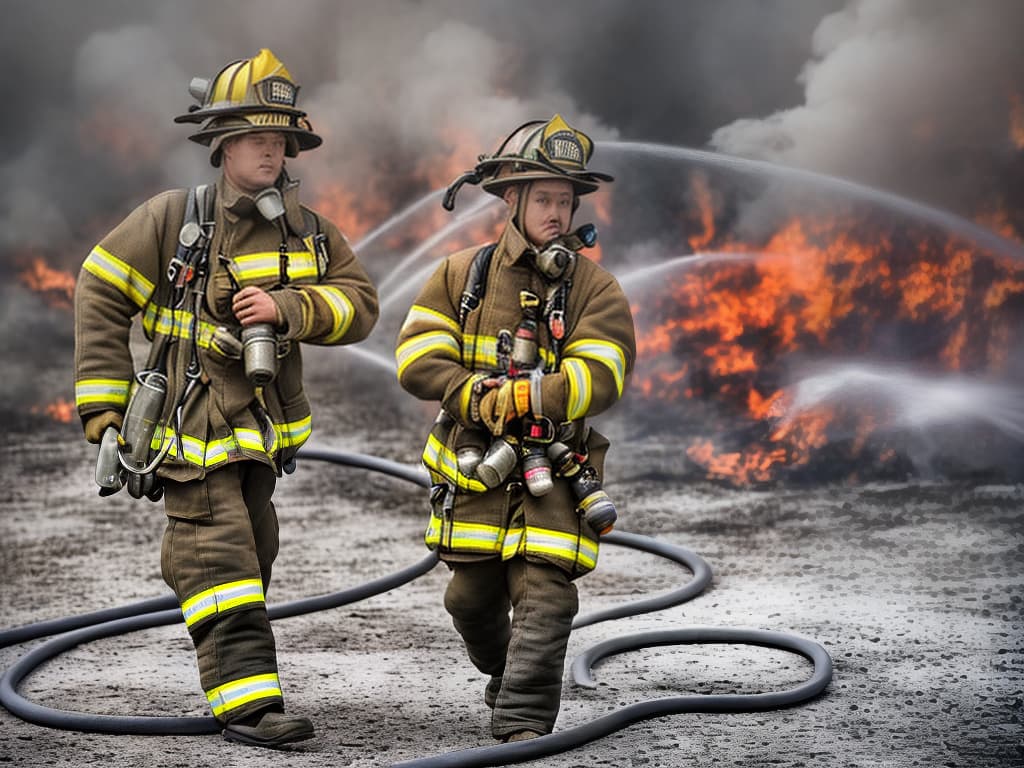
<point>913,587</point>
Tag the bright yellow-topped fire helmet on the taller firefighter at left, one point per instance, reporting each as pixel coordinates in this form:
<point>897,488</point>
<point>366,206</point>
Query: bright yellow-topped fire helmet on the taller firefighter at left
<point>249,96</point>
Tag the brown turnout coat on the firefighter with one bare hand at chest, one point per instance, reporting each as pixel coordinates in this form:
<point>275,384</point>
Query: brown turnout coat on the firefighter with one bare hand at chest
<point>227,419</point>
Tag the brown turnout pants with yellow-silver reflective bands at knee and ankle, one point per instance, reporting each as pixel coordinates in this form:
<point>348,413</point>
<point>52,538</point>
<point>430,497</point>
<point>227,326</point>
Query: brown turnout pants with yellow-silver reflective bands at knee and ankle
<point>219,550</point>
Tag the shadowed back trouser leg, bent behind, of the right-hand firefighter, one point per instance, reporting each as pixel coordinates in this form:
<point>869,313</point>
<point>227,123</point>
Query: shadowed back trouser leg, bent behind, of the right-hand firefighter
<point>480,608</point>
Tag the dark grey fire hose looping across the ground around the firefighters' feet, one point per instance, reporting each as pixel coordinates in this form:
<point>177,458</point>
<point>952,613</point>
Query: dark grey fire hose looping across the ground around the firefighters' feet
<point>75,630</point>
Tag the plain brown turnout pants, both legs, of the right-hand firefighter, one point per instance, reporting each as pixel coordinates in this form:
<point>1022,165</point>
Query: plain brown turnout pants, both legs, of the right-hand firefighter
<point>526,652</point>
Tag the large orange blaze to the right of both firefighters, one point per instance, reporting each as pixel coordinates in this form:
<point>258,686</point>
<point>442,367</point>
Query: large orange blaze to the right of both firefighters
<point>722,334</point>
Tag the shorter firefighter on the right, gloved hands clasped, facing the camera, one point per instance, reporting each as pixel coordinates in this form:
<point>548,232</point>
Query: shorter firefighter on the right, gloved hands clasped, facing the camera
<point>520,343</point>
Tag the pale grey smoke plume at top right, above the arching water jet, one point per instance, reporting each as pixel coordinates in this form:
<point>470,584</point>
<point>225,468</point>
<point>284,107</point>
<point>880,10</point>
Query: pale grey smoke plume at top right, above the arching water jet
<point>912,96</point>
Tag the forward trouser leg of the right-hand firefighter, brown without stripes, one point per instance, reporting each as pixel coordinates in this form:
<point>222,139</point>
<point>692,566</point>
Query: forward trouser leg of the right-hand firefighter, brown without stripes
<point>545,603</point>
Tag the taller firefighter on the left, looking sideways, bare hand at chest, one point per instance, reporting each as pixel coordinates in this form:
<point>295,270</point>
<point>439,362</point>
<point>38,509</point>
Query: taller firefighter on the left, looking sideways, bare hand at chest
<point>229,279</point>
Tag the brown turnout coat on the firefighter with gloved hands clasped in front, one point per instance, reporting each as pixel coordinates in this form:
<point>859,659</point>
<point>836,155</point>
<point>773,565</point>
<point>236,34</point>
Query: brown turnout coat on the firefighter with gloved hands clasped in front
<point>440,360</point>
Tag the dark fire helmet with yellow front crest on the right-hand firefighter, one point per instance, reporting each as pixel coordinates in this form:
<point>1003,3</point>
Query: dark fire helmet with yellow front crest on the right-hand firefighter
<point>538,150</point>
